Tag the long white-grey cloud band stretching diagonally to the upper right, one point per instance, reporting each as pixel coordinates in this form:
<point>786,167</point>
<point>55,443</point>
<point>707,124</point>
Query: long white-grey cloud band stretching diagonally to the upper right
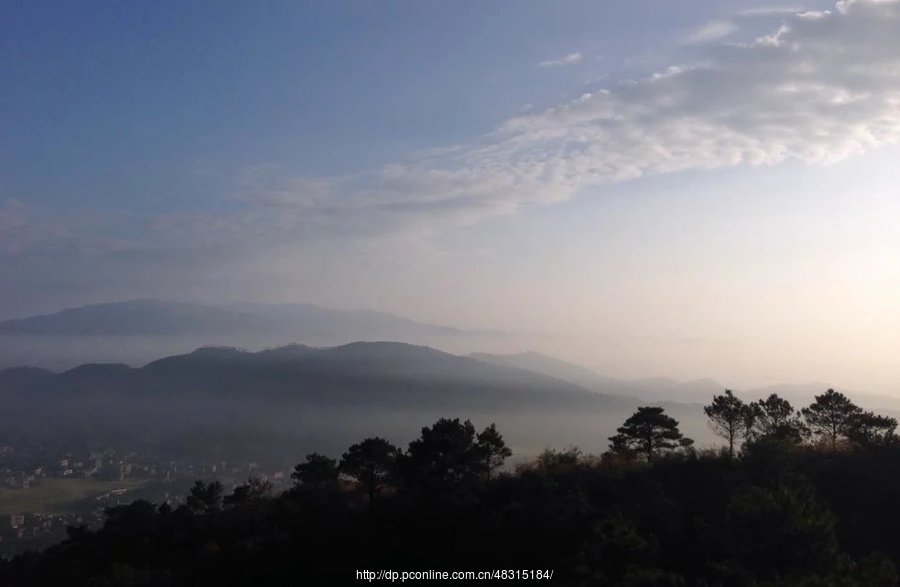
<point>816,90</point>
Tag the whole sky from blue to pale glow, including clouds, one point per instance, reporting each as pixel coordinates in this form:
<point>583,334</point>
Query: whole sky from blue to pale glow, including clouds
<point>691,189</point>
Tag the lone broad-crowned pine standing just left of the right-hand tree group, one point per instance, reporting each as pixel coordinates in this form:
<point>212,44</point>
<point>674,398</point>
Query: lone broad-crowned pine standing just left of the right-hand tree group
<point>648,432</point>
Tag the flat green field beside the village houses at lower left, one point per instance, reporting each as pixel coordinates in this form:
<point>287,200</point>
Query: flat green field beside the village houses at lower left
<point>57,496</point>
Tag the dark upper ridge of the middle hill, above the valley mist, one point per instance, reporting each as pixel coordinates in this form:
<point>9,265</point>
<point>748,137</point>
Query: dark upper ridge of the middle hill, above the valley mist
<point>228,368</point>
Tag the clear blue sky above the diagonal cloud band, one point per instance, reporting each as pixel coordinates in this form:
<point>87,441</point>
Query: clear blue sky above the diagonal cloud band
<point>161,105</point>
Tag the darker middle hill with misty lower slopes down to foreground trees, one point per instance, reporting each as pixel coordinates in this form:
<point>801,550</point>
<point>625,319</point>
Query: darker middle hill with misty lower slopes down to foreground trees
<point>324,396</point>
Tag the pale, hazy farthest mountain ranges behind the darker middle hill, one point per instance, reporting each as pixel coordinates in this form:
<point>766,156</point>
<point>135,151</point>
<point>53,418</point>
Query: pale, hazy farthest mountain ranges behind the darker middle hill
<point>138,331</point>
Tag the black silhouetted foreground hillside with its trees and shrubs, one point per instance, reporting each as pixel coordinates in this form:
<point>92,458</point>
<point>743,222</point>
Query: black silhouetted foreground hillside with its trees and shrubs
<point>795,499</point>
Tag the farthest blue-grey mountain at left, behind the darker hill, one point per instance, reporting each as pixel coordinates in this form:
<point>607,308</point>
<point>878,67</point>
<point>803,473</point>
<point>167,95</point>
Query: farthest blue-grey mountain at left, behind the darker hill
<point>138,331</point>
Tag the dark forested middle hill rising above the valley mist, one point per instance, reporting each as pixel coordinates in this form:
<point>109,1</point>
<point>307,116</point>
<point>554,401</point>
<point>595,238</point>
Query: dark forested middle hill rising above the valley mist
<point>377,373</point>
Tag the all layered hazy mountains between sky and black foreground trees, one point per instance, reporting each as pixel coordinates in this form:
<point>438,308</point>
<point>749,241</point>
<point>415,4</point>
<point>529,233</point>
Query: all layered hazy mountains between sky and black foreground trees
<point>318,396</point>
